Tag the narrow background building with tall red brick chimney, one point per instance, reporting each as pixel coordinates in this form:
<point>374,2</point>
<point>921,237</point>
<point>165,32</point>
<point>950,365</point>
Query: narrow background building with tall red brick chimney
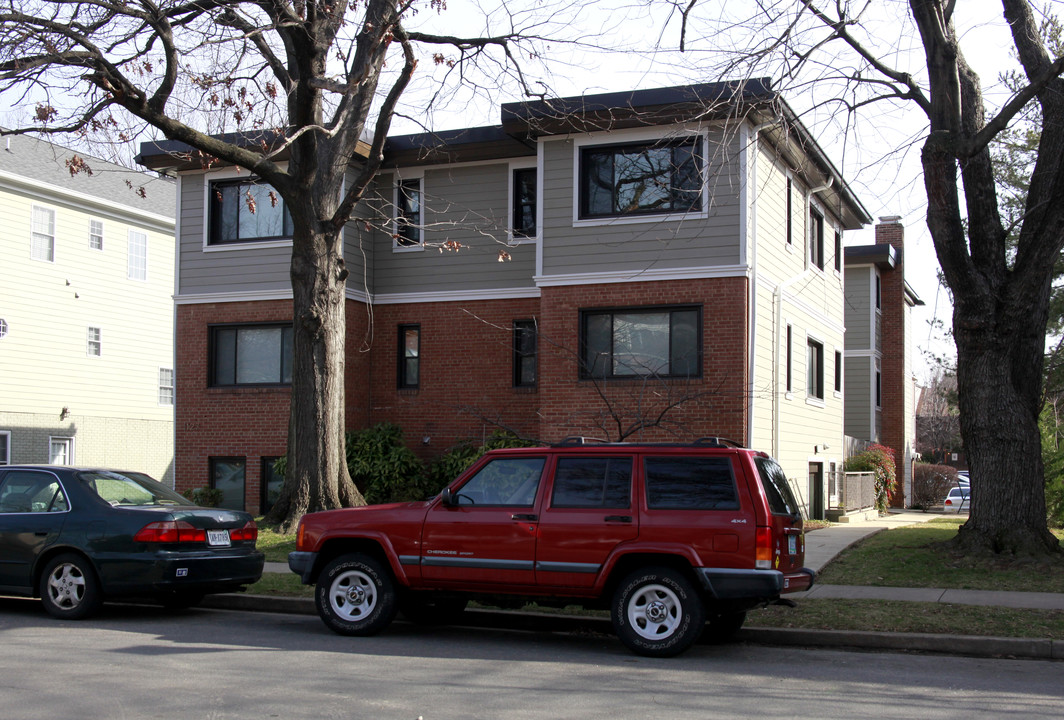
<point>880,386</point>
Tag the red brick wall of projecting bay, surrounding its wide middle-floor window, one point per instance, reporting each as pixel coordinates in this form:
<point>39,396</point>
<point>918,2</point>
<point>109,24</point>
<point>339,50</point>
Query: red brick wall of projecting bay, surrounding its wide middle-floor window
<point>718,404</point>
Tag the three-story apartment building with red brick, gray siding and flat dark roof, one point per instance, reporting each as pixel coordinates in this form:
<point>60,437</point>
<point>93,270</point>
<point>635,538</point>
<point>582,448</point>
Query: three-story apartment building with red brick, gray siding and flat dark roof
<point>669,254</point>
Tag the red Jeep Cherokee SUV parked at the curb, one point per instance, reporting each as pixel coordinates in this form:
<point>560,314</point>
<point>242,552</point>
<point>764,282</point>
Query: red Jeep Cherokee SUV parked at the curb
<point>673,539</point>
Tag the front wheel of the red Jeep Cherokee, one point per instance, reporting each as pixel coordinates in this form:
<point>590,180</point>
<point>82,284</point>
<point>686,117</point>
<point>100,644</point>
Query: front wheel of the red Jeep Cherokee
<point>356,596</point>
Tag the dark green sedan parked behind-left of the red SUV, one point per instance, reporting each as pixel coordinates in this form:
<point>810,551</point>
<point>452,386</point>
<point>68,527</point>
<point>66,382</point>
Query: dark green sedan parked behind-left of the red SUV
<point>78,537</point>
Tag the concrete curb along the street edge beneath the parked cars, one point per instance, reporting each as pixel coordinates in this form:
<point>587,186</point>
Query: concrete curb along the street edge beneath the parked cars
<point>972,646</point>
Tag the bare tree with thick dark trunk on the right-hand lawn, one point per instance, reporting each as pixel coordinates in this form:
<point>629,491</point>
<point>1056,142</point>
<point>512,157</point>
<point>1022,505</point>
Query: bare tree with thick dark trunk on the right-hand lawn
<point>854,63</point>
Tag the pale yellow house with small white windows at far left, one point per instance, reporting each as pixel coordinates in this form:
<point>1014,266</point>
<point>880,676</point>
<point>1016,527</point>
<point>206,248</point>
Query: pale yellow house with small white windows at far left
<point>87,311</point>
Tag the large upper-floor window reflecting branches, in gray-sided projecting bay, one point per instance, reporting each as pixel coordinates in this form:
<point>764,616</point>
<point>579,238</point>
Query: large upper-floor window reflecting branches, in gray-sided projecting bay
<point>641,179</point>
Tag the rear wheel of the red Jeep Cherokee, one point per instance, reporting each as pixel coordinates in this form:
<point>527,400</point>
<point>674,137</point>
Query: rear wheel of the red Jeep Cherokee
<point>658,613</point>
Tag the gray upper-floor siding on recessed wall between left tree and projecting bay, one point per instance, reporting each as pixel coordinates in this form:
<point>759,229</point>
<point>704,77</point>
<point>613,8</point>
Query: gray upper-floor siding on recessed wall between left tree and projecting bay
<point>468,205</point>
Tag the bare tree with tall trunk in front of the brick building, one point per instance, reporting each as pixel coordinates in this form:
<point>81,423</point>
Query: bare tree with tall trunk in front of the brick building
<point>311,90</point>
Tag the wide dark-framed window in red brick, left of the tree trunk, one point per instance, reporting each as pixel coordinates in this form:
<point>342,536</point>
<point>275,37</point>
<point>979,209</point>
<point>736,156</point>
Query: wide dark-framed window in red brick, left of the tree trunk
<point>251,356</point>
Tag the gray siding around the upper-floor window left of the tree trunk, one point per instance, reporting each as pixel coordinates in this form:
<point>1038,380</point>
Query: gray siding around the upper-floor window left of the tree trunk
<point>244,270</point>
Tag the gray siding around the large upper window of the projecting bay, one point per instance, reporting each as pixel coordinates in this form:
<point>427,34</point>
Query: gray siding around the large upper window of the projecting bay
<point>656,244</point>
